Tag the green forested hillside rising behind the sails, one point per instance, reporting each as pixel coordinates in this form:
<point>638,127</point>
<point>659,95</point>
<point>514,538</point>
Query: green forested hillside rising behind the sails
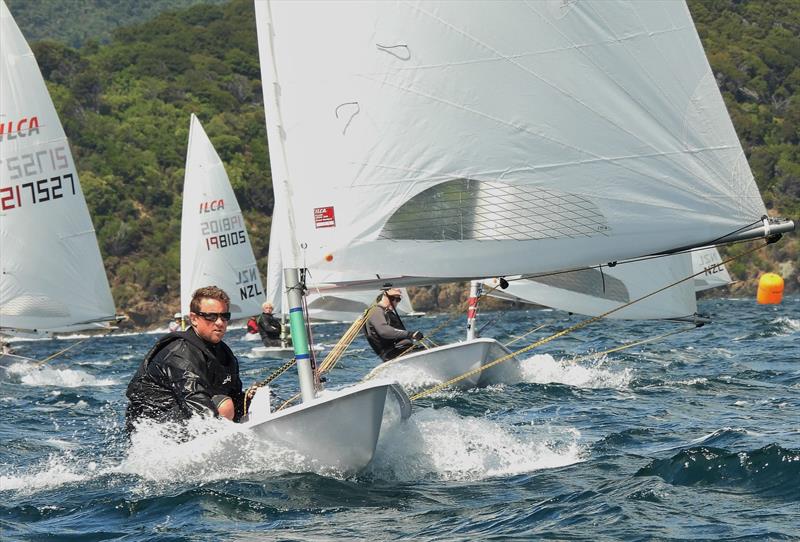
<point>125,106</point>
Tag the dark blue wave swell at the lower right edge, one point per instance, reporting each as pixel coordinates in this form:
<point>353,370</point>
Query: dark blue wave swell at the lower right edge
<point>771,470</point>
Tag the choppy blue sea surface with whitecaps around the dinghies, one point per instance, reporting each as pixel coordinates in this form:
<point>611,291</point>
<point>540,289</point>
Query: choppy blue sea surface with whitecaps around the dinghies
<point>694,437</point>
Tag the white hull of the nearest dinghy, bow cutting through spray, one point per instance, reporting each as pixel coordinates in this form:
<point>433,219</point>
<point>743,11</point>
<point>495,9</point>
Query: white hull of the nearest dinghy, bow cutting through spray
<point>339,430</point>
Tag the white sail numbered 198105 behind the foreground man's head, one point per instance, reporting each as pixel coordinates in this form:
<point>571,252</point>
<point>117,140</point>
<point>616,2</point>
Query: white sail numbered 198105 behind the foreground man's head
<point>215,247</point>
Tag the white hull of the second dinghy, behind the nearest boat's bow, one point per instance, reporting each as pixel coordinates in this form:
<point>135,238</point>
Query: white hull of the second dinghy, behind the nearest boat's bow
<point>443,363</point>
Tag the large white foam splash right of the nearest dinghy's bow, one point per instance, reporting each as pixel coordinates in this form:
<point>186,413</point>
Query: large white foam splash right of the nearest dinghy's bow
<point>441,444</point>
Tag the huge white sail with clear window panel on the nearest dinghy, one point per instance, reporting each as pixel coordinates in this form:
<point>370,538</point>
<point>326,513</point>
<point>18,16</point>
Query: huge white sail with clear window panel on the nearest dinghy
<point>423,141</point>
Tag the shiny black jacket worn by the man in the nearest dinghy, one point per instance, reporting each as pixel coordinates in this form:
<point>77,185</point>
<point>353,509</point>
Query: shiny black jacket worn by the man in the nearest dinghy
<point>183,375</point>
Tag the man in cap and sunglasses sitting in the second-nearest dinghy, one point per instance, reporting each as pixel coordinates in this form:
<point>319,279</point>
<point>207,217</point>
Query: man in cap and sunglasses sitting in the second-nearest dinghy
<point>385,331</point>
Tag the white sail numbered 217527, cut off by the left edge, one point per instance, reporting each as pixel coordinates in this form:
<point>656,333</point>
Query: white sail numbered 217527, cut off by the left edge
<point>52,275</point>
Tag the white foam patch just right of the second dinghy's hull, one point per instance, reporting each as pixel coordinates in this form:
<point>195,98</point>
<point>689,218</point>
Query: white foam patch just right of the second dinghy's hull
<point>544,369</point>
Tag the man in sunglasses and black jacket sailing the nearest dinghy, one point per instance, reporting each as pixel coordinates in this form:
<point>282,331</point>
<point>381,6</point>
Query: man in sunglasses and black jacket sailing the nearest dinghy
<point>190,372</point>
